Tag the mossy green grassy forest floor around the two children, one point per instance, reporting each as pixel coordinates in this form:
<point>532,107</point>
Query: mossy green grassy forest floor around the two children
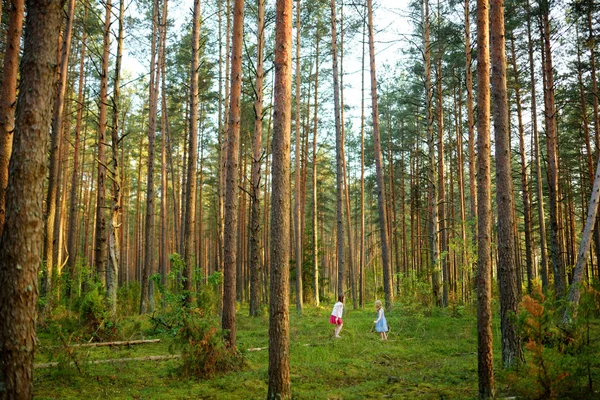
<point>429,355</point>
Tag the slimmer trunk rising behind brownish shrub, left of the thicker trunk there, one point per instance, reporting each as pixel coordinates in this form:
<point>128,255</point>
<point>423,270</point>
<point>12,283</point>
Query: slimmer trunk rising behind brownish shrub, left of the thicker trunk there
<point>190,194</point>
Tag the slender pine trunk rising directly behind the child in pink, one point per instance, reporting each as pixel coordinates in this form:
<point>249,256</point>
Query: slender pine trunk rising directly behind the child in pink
<point>339,154</point>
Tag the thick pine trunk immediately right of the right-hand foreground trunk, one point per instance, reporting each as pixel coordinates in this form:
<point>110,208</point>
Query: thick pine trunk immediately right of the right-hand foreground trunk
<point>512,353</point>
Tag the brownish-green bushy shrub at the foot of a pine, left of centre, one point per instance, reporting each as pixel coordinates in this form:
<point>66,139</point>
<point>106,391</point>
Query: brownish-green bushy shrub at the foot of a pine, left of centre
<point>203,350</point>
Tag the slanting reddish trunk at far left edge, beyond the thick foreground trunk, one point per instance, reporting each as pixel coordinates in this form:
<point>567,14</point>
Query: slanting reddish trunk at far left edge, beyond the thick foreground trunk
<point>8,95</point>
